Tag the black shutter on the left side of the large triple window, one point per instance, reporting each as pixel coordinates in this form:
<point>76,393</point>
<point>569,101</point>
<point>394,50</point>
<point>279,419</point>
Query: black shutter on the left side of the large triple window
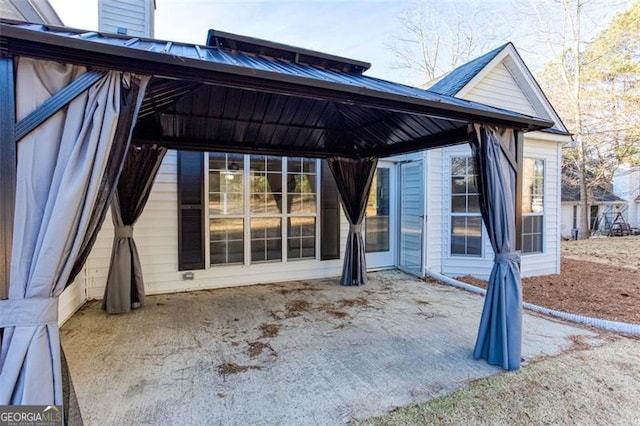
<point>190,210</point>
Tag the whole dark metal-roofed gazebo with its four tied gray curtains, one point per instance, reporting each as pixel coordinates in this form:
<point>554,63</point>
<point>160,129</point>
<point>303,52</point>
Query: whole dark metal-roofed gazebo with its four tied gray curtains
<point>85,120</point>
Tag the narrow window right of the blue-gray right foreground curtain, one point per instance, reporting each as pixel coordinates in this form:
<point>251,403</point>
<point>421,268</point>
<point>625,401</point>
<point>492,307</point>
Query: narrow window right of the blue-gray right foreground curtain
<point>532,205</point>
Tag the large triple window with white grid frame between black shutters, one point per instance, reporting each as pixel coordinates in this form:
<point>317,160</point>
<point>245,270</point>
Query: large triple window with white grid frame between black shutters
<point>251,198</point>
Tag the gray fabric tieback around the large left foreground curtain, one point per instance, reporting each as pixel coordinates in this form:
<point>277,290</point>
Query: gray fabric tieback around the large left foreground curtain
<point>31,311</point>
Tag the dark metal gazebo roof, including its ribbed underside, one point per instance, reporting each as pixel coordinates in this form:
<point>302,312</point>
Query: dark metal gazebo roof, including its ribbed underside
<point>221,98</point>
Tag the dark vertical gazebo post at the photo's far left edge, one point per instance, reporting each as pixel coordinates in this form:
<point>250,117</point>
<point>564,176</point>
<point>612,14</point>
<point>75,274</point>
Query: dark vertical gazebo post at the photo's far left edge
<point>8,169</point>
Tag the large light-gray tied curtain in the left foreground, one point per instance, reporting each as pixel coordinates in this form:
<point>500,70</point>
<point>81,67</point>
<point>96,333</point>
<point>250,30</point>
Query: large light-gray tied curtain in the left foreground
<point>60,170</point>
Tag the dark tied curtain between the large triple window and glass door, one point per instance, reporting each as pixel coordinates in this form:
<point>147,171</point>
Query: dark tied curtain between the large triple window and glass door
<point>353,179</point>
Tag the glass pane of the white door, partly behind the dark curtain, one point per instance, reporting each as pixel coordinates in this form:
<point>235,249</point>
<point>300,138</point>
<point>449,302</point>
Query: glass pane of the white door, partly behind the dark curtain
<point>377,214</point>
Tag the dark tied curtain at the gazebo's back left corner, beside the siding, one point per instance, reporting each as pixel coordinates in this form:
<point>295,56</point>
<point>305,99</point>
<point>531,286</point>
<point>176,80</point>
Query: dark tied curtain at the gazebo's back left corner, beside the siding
<point>125,286</point>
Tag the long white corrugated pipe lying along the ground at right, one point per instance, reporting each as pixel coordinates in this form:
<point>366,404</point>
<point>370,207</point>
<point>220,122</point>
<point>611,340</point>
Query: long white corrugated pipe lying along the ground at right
<point>620,327</point>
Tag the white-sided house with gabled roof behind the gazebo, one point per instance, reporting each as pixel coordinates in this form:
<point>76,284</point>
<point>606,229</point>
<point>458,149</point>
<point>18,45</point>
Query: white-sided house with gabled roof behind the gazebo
<point>275,218</point>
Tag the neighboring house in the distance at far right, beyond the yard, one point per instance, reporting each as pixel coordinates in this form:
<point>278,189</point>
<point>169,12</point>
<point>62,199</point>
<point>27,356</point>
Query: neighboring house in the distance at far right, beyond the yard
<point>602,208</point>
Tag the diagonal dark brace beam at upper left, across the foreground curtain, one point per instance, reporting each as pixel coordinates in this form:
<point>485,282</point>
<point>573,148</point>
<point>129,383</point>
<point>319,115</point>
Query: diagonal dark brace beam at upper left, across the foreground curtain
<point>56,103</point>
